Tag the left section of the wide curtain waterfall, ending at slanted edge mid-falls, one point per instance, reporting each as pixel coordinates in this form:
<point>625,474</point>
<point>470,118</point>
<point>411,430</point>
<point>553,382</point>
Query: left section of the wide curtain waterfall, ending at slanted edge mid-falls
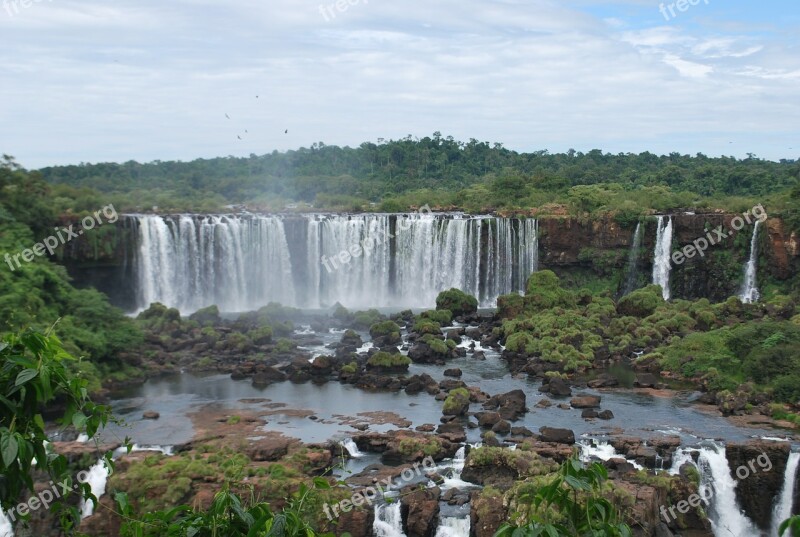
<point>190,262</point>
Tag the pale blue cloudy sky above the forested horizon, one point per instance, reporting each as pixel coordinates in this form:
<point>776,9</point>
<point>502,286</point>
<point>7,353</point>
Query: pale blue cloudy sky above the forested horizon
<point>120,80</point>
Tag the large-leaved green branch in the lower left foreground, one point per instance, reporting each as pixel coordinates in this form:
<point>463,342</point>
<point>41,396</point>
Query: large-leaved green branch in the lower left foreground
<point>34,374</point>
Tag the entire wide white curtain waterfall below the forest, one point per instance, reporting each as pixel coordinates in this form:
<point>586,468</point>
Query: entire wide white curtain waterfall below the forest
<point>243,262</point>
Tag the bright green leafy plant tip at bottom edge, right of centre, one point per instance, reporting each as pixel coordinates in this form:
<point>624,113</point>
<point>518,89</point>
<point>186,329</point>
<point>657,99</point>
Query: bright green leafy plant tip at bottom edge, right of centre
<point>570,505</point>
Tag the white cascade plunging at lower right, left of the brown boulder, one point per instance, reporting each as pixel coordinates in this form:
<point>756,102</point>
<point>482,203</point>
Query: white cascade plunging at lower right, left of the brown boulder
<point>718,490</point>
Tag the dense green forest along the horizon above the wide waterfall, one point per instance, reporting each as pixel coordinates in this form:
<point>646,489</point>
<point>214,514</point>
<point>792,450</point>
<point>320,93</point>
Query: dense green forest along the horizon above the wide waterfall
<point>440,171</point>
